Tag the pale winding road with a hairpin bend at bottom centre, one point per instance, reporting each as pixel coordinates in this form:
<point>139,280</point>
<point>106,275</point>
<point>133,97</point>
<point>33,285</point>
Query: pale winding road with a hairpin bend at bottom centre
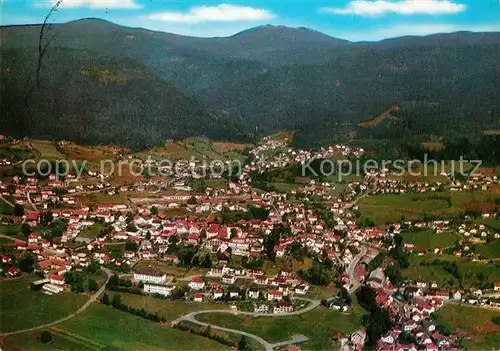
<point>190,317</point>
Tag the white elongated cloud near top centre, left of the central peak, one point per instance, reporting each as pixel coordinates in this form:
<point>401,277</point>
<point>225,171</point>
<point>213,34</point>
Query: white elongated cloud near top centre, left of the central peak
<point>219,13</point>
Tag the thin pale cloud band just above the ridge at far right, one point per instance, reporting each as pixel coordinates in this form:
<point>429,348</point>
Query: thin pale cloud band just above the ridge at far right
<point>399,30</point>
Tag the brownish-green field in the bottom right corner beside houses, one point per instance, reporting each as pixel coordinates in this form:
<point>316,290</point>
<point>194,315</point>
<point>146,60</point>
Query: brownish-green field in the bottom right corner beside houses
<point>474,323</point>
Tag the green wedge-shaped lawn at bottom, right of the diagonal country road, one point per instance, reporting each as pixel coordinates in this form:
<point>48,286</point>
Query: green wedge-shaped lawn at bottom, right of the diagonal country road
<point>108,326</point>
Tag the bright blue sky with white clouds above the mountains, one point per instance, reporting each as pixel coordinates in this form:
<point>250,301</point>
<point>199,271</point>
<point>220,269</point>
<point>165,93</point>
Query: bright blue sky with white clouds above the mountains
<point>353,20</point>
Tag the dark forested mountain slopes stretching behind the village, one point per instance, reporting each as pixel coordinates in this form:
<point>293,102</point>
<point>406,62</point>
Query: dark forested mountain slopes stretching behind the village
<point>103,83</point>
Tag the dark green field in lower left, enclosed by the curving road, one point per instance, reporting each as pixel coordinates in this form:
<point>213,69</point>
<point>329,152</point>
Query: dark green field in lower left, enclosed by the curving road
<point>25,308</point>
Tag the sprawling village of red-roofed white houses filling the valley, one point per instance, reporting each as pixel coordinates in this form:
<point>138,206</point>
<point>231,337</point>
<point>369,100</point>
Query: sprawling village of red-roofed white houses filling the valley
<point>231,233</point>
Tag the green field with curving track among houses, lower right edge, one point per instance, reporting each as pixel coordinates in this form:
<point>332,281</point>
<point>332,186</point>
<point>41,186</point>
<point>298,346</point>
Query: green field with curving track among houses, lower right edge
<point>468,270</point>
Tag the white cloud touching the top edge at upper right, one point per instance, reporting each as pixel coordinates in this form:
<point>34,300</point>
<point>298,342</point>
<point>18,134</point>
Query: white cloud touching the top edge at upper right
<point>405,7</point>
